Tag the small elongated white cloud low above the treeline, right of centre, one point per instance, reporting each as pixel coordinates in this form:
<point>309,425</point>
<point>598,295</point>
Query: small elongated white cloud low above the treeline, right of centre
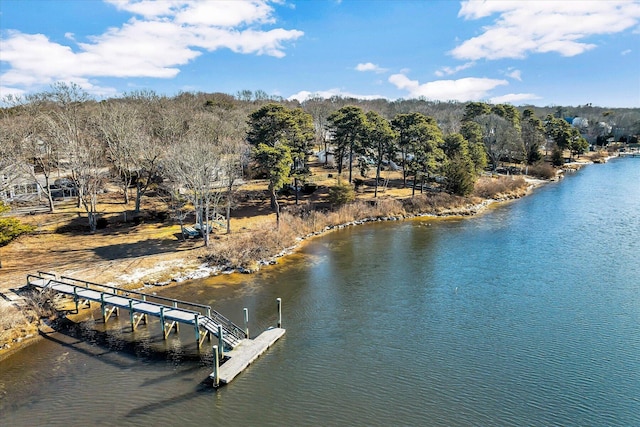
<point>467,89</point>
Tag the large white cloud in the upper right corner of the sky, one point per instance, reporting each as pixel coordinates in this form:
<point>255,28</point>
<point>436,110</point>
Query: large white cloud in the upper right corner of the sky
<point>524,27</point>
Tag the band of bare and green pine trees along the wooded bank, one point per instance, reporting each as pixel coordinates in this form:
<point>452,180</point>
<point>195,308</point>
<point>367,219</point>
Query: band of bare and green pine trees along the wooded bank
<point>201,146</point>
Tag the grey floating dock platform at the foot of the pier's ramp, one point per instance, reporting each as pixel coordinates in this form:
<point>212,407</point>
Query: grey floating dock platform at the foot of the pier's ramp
<point>244,354</point>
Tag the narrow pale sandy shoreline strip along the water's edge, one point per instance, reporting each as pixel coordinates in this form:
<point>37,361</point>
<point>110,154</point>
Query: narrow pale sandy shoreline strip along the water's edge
<point>203,270</point>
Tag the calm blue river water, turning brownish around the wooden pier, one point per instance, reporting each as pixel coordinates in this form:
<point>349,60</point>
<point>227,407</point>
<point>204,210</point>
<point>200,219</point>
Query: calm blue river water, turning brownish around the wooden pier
<point>527,315</point>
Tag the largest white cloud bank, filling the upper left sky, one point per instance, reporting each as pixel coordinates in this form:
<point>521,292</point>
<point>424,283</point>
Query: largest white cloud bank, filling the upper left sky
<point>169,34</point>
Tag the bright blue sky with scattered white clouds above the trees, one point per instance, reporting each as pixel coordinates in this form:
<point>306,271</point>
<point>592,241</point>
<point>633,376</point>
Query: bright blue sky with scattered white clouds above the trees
<point>522,52</point>
